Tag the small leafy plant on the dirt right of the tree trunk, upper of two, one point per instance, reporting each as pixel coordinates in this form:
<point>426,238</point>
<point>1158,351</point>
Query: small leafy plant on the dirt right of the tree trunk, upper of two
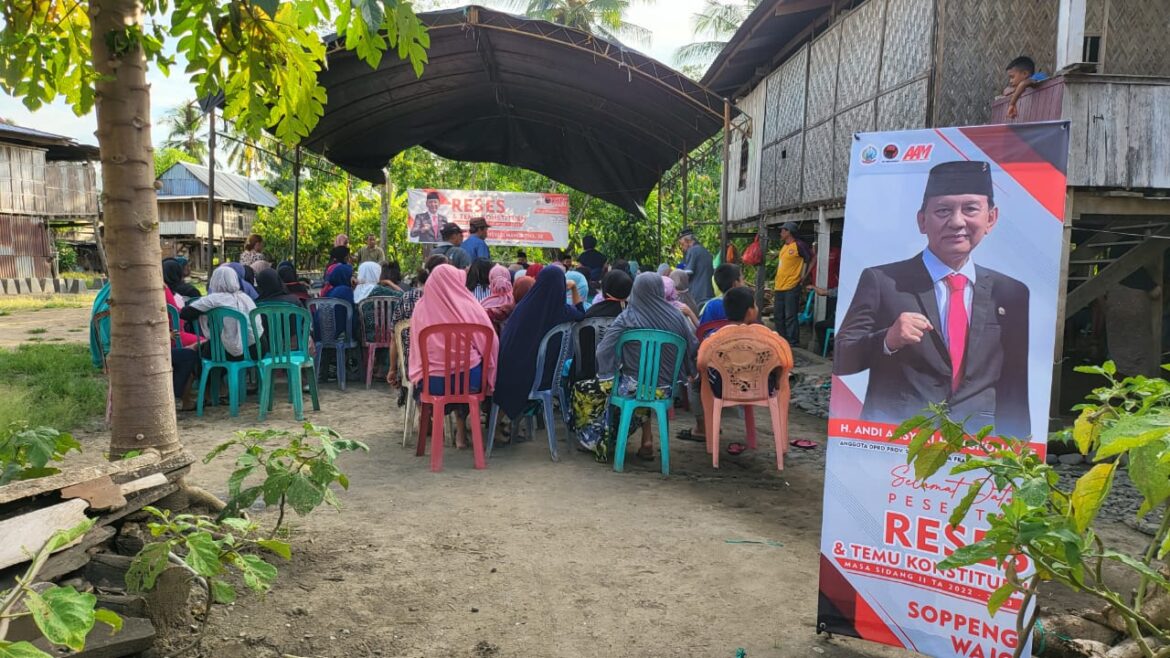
<point>298,472</point>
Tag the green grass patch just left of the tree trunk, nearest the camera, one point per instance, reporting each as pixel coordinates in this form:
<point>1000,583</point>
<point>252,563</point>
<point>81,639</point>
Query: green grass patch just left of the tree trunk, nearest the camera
<point>54,386</point>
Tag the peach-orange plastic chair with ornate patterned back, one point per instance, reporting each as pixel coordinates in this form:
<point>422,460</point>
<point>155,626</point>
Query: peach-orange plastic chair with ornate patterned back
<point>745,367</point>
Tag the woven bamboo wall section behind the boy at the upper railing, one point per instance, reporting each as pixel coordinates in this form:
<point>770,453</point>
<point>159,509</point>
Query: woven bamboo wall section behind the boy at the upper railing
<point>976,40</point>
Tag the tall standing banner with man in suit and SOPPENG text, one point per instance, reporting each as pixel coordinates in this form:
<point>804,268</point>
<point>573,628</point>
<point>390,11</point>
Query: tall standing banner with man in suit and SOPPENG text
<point>949,284</point>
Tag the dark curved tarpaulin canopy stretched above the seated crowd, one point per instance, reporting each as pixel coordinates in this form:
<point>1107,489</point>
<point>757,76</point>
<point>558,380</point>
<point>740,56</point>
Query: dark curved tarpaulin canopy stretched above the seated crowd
<point>582,111</point>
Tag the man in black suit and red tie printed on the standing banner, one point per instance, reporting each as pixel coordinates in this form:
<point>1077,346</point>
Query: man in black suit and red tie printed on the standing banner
<point>939,328</point>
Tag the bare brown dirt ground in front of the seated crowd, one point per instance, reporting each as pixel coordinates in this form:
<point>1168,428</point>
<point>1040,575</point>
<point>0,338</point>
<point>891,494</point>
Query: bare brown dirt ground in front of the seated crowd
<point>531,558</point>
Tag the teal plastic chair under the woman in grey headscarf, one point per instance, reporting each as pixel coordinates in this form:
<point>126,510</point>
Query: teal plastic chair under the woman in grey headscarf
<point>651,348</point>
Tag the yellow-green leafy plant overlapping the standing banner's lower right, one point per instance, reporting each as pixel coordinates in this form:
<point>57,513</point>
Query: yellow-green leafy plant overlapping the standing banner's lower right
<point>1052,526</point>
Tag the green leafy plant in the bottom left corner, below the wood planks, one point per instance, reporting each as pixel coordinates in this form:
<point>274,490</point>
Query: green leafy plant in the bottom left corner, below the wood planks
<point>64,615</point>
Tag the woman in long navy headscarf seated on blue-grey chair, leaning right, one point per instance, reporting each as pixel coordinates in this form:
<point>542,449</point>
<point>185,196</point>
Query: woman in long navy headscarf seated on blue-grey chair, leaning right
<point>541,310</point>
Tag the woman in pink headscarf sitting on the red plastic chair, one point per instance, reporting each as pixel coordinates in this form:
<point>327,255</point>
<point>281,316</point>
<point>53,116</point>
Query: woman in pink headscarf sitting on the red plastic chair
<point>448,301</point>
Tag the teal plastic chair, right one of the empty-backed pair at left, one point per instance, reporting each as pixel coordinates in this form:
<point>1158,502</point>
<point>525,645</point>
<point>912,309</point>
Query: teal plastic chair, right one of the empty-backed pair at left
<point>287,341</point>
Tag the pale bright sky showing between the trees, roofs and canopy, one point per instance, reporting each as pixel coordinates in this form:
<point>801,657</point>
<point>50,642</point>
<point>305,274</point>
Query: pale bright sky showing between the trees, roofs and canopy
<point>669,20</point>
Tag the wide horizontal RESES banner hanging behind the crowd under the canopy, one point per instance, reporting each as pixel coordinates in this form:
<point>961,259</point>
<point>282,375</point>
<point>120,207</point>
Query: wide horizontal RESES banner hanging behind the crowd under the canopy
<point>517,220</point>
